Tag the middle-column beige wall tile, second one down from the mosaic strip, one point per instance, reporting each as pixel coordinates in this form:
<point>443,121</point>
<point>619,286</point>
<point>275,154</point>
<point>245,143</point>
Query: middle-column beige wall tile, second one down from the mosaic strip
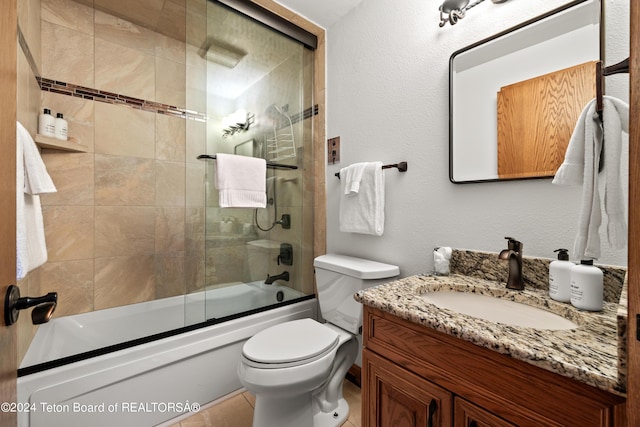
<point>124,180</point>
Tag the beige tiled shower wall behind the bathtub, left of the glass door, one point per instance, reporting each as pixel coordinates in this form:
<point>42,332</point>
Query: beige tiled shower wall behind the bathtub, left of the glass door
<point>124,226</point>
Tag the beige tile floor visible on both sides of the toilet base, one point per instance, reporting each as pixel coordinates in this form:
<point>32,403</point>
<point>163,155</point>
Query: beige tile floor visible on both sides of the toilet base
<point>238,411</point>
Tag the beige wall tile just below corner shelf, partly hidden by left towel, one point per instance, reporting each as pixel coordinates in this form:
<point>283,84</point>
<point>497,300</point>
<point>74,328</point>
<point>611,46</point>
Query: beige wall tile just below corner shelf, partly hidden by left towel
<point>72,173</point>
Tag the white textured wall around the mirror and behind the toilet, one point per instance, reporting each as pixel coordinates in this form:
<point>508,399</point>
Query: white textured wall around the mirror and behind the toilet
<point>387,98</point>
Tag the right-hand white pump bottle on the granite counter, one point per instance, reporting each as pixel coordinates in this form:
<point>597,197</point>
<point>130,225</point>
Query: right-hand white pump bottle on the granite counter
<point>587,292</point>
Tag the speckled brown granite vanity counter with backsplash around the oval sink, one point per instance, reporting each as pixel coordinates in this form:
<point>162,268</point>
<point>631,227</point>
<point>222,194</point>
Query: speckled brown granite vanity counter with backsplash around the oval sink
<point>594,353</point>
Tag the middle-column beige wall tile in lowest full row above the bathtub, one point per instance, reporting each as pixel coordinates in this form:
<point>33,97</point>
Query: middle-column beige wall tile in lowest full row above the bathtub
<point>123,280</point>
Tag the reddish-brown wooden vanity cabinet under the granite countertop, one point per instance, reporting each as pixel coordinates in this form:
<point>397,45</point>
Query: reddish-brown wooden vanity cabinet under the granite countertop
<point>416,376</point>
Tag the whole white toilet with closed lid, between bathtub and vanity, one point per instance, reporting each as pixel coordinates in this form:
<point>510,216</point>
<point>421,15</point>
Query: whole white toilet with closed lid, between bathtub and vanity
<point>296,369</point>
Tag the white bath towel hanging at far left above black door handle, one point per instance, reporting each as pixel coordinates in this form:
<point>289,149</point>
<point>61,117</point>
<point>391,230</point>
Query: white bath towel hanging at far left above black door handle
<point>31,248</point>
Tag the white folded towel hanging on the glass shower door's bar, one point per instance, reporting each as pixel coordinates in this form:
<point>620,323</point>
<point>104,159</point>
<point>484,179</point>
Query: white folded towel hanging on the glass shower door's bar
<point>241,181</point>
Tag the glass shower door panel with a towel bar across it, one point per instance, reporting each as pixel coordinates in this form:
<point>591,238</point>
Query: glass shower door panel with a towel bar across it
<point>258,100</point>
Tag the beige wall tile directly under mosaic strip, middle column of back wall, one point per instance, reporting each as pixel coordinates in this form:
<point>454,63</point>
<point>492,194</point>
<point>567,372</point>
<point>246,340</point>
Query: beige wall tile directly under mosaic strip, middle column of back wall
<point>124,131</point>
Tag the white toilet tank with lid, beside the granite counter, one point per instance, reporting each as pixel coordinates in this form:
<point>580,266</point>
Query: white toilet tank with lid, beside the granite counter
<point>338,277</point>
